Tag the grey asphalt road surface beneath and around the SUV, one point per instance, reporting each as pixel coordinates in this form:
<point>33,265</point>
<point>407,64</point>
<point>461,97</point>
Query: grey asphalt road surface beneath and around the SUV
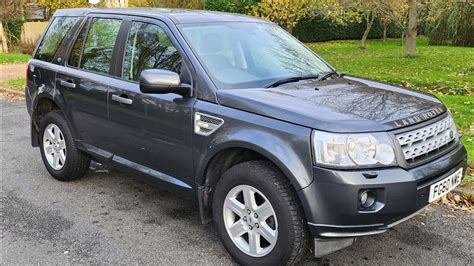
<point>110,217</point>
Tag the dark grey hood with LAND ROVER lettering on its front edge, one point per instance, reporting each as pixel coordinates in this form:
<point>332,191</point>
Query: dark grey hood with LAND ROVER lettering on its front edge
<point>345,104</point>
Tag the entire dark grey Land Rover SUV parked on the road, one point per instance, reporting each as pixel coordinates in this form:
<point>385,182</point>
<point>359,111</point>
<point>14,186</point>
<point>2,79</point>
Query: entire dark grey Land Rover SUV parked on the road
<point>276,147</point>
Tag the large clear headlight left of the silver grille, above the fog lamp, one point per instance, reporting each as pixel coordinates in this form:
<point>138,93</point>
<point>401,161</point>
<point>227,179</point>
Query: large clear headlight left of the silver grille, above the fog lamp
<point>353,150</point>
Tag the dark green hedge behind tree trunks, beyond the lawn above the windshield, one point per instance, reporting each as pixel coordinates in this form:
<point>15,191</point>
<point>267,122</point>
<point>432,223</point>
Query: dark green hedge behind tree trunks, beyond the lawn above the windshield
<point>320,30</point>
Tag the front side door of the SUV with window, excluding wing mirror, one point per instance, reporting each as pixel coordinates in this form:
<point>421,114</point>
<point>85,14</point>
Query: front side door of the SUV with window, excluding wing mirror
<point>152,130</point>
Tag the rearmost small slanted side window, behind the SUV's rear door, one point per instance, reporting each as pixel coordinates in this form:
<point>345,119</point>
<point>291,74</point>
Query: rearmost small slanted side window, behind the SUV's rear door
<point>53,37</point>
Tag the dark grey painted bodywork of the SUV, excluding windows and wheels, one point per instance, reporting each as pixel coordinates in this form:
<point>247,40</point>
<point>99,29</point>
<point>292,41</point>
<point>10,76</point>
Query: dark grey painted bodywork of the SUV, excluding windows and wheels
<point>152,134</point>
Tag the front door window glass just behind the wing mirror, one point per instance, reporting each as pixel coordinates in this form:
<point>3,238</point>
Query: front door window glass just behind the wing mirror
<point>148,47</point>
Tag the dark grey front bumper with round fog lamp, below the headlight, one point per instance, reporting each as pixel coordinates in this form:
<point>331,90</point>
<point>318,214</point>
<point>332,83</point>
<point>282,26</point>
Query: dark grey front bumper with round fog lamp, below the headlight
<point>331,202</point>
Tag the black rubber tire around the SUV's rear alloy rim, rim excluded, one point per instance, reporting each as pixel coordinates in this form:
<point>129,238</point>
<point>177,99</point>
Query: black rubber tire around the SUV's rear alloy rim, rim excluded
<point>76,162</point>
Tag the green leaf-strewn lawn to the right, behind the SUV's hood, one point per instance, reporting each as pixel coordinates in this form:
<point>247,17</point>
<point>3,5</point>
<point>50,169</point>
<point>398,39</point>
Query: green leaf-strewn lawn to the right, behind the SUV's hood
<point>443,70</point>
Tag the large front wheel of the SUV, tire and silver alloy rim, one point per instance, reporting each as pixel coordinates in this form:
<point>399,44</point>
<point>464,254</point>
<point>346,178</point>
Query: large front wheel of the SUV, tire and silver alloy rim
<point>286,224</point>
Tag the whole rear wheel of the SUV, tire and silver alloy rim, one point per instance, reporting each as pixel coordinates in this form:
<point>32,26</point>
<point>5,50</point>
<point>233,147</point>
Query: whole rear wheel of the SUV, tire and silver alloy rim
<point>63,160</point>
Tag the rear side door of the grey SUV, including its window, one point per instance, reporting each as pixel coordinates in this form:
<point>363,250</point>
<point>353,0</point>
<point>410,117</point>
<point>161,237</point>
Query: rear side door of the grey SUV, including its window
<point>84,81</point>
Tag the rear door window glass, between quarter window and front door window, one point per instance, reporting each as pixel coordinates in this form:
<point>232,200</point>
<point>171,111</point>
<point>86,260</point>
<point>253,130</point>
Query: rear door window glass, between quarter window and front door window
<point>99,45</point>
